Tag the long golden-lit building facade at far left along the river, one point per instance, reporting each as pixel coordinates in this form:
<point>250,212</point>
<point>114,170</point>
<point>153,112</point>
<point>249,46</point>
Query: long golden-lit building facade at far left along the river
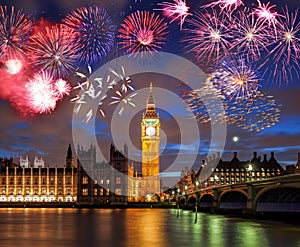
<point>22,183</point>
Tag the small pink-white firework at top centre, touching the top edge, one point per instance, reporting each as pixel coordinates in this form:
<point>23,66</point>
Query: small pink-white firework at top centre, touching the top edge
<point>177,10</point>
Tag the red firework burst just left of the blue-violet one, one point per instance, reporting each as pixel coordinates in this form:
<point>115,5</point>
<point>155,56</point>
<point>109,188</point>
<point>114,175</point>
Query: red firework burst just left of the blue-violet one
<point>52,50</point>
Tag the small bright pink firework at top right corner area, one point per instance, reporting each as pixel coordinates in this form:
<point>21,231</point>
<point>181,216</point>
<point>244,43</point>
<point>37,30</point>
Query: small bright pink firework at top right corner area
<point>266,13</point>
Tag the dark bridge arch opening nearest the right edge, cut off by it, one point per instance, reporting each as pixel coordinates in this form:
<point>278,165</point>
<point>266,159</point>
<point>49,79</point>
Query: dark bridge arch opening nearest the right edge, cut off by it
<point>278,199</point>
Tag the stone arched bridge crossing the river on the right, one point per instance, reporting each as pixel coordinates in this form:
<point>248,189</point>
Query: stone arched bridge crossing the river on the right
<point>277,194</point>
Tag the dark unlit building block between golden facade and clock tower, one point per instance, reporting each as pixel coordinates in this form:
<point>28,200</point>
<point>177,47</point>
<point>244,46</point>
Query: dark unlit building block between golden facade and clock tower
<point>102,183</point>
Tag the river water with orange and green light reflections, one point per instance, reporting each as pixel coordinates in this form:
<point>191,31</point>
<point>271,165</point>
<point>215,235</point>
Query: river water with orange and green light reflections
<point>137,227</point>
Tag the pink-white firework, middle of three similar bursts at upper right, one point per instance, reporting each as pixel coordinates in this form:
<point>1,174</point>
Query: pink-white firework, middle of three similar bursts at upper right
<point>251,36</point>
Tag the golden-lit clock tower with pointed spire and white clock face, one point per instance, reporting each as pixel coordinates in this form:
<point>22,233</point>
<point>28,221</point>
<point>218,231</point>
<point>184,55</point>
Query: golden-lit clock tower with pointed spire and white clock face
<point>150,127</point>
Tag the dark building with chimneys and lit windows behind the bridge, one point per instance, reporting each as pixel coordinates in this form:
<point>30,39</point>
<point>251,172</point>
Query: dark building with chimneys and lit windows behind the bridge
<point>231,172</point>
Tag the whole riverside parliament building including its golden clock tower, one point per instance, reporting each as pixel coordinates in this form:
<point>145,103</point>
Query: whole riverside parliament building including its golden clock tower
<point>86,182</point>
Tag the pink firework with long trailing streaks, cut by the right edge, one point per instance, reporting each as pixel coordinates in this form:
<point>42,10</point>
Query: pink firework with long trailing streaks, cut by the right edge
<point>282,62</point>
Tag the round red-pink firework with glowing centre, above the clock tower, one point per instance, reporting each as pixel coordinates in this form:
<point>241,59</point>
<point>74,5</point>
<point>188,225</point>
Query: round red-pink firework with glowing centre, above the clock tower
<point>142,32</point>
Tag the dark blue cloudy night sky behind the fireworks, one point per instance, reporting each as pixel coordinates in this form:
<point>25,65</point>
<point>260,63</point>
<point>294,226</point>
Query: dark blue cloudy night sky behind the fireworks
<point>49,135</point>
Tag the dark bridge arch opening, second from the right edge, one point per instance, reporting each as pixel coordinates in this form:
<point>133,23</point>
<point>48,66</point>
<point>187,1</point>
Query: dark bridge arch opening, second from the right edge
<point>233,199</point>
